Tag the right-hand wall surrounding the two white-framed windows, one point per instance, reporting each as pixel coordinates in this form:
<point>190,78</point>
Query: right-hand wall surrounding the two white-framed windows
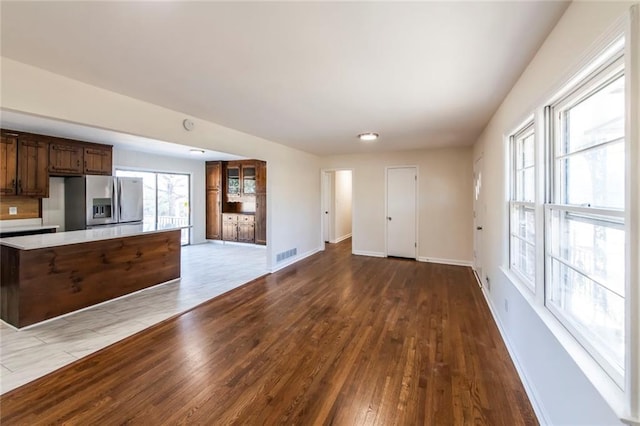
<point>561,391</point>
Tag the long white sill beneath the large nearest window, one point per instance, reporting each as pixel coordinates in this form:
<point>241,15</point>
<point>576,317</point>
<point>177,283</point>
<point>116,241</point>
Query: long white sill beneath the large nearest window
<point>604,385</point>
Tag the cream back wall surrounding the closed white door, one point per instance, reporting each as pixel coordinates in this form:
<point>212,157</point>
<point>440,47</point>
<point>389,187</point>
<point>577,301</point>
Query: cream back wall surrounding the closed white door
<point>445,185</point>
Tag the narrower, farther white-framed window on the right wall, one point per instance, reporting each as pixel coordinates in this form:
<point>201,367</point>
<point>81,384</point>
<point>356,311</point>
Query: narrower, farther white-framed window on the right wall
<point>522,249</point>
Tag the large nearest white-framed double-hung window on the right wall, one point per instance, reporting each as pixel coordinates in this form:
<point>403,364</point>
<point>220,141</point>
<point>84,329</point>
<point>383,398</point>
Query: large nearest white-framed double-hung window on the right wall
<point>585,218</point>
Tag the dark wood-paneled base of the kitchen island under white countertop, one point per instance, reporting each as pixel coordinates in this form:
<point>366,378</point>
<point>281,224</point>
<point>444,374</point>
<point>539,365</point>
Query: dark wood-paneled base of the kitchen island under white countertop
<point>58,278</point>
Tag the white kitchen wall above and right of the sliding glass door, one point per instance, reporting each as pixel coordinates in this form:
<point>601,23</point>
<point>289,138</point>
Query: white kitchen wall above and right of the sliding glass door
<point>133,160</point>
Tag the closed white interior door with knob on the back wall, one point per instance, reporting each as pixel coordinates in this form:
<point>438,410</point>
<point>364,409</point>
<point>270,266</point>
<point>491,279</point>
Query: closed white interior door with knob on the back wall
<point>401,212</point>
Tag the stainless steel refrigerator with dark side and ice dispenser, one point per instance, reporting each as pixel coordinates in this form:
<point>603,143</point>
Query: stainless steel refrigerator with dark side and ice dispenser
<point>92,201</point>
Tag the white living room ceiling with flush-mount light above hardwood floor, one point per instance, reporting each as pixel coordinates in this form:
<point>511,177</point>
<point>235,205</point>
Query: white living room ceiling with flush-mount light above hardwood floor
<point>307,75</point>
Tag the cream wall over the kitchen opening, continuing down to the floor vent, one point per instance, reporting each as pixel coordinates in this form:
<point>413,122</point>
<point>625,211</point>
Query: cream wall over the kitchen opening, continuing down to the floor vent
<point>293,183</point>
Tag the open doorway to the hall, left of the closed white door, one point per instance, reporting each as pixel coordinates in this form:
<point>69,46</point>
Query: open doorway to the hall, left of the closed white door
<point>337,205</point>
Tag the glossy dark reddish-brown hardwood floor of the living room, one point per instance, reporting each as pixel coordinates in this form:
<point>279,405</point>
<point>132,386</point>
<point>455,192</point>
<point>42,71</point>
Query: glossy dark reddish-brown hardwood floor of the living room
<point>334,339</point>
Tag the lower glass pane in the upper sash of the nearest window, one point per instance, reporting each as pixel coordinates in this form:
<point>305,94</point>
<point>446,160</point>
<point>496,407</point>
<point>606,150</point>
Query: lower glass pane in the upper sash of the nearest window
<point>595,177</point>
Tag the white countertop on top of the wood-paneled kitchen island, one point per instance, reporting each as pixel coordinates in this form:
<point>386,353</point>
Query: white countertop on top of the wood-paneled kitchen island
<point>31,242</point>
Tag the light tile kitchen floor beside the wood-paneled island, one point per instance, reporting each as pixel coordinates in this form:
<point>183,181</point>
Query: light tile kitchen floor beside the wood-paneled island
<point>208,270</point>
